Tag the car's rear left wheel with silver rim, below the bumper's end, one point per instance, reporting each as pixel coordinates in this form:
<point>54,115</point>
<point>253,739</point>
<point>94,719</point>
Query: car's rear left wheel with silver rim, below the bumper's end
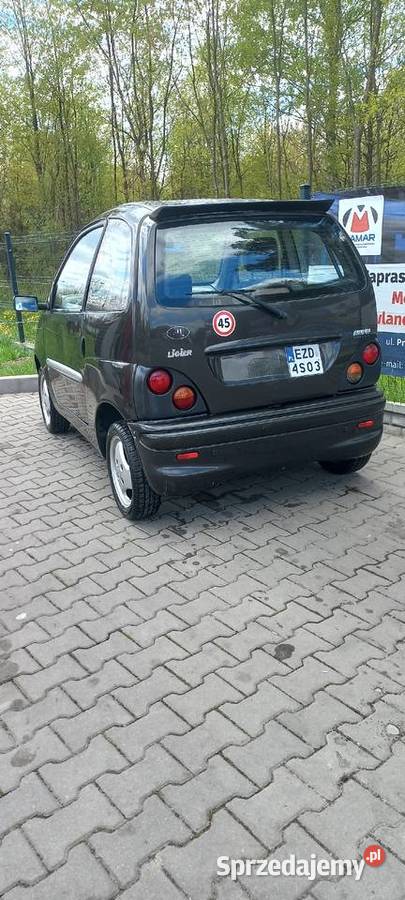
<point>133,494</point>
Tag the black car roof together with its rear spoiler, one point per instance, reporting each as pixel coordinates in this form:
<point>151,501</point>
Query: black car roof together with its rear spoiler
<point>165,210</point>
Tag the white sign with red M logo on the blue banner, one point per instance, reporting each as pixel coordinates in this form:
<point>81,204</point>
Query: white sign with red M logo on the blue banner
<point>362,217</point>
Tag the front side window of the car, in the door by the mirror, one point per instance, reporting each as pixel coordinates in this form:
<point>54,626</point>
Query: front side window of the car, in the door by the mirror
<point>71,284</point>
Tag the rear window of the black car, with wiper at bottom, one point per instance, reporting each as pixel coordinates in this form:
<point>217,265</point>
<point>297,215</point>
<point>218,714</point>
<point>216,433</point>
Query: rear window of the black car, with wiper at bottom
<point>197,263</point>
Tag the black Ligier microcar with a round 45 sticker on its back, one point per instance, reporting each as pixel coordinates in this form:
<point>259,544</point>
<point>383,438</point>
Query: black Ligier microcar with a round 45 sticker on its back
<point>195,340</point>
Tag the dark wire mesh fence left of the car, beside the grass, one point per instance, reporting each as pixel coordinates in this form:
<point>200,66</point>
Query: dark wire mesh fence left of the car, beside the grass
<point>27,266</point>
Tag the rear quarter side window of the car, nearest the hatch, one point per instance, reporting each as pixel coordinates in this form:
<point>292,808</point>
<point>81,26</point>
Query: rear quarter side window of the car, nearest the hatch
<point>109,285</point>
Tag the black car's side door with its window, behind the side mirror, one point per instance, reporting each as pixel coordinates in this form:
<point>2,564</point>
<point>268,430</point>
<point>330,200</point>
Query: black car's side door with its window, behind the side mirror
<point>63,325</point>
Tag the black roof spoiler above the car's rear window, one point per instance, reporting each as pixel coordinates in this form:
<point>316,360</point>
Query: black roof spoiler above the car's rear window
<point>183,209</point>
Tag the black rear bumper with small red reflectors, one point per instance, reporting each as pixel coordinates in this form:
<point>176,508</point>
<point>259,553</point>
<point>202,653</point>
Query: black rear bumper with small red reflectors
<point>236,444</point>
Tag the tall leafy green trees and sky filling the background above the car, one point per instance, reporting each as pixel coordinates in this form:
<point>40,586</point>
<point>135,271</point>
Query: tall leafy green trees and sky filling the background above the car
<point>110,100</point>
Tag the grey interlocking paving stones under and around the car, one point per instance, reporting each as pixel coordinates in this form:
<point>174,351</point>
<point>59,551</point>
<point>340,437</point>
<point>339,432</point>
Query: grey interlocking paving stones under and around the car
<point>227,680</point>
